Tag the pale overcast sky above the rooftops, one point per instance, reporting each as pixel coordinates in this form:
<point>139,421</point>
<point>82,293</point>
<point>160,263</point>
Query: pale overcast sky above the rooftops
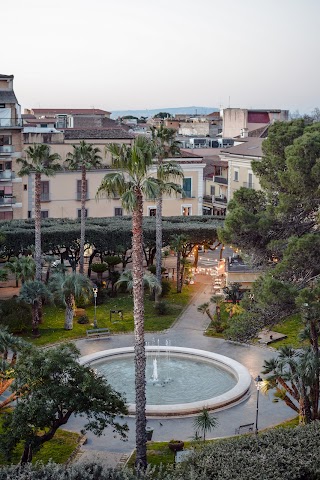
<point>143,54</point>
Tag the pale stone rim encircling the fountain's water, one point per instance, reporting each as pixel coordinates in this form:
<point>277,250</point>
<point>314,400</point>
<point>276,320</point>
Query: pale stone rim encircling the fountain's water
<point>232,396</point>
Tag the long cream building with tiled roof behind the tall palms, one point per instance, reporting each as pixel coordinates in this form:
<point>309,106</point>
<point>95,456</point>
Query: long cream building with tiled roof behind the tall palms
<point>61,195</point>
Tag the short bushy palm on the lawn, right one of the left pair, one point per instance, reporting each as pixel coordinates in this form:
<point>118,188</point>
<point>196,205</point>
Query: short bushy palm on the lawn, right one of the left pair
<point>68,289</point>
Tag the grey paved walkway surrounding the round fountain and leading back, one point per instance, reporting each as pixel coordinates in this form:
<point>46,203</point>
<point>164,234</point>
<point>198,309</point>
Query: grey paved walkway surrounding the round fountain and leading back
<point>188,332</point>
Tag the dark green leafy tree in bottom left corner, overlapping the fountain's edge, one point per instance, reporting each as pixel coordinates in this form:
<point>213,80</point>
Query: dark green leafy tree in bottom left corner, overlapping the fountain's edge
<point>49,400</point>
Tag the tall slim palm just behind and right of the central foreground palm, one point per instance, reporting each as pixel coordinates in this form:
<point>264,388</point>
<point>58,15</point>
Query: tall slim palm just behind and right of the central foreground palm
<point>164,146</point>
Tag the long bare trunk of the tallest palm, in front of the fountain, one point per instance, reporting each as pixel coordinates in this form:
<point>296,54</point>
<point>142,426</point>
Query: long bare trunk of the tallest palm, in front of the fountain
<point>139,342</point>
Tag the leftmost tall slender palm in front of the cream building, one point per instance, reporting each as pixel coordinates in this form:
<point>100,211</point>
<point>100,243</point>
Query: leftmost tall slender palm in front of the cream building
<point>39,161</point>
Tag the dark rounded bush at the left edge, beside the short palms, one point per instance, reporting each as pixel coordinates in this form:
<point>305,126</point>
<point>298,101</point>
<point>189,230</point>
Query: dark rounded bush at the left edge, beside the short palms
<point>15,314</point>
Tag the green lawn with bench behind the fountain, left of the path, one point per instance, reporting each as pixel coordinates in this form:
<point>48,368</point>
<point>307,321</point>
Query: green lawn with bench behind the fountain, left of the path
<point>53,317</point>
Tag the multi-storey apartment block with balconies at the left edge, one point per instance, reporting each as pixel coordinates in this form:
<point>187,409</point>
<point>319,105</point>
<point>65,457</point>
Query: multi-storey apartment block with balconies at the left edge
<point>10,150</point>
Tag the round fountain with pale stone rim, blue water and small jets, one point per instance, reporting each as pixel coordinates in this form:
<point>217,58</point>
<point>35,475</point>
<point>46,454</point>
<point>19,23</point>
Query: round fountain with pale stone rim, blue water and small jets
<point>179,381</point>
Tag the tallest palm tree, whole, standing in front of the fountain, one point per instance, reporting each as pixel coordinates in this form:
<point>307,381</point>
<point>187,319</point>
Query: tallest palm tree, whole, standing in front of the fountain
<point>131,182</point>
